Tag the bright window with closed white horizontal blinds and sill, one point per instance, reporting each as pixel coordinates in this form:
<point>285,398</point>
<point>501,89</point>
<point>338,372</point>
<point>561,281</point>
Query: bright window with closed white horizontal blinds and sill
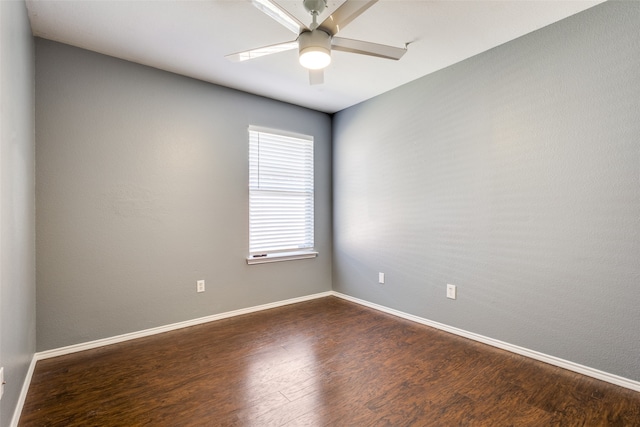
<point>280,196</point>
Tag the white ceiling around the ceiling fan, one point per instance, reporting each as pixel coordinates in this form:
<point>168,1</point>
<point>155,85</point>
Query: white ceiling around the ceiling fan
<point>192,37</point>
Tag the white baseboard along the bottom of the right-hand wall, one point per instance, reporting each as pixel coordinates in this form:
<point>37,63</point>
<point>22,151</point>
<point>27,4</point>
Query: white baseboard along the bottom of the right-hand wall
<point>552,360</point>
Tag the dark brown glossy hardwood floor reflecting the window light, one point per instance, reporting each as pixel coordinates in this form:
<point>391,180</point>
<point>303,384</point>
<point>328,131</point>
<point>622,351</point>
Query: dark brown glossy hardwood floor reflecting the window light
<point>325,362</point>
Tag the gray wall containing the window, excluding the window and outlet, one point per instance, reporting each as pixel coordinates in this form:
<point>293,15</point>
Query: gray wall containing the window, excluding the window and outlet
<point>142,190</point>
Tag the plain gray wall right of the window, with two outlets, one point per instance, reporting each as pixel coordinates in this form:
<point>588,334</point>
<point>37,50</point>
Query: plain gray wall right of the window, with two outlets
<point>514,175</point>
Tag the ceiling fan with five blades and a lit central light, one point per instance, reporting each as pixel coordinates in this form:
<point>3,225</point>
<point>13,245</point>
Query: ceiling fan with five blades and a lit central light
<point>316,41</point>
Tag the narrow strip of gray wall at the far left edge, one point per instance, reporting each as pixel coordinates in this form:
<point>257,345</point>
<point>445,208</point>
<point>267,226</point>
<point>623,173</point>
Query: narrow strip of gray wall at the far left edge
<point>17,202</point>
